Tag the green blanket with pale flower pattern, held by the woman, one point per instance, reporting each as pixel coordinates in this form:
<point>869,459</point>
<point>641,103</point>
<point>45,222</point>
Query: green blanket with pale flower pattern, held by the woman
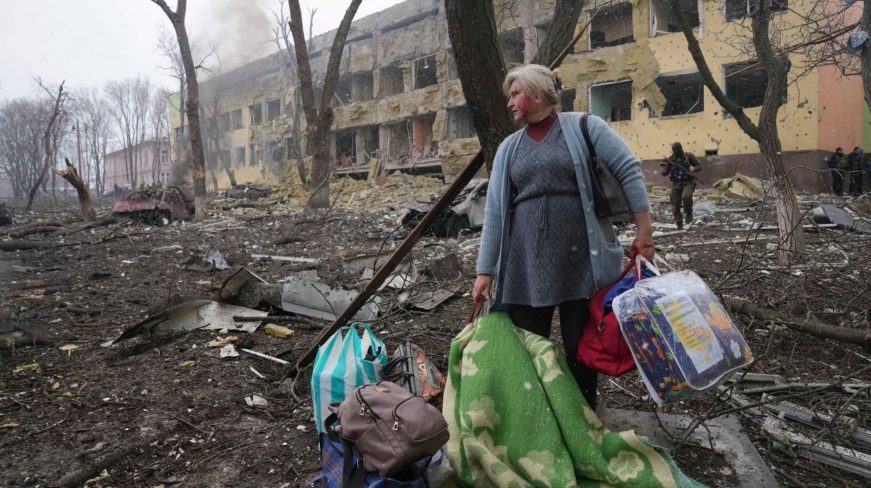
<point>517,419</point>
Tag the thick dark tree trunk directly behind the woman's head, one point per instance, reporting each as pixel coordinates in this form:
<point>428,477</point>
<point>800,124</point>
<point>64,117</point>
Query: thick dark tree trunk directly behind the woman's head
<point>473,33</point>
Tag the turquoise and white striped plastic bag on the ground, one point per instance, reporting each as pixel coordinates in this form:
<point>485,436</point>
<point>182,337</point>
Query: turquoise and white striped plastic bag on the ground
<point>352,357</point>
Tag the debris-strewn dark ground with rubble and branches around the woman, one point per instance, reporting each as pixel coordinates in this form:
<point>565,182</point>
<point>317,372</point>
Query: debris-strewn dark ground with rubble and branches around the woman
<point>206,319</point>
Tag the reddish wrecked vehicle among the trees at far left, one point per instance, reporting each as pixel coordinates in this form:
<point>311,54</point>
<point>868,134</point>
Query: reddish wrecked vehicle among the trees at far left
<point>156,204</point>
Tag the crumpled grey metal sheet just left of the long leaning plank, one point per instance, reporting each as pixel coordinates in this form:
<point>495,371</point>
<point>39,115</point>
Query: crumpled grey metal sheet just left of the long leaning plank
<point>305,294</point>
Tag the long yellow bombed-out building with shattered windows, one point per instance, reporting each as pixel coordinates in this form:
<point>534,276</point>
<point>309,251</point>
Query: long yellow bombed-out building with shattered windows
<point>399,104</point>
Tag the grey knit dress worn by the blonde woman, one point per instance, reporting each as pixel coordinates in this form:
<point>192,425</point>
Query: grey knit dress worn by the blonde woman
<point>548,258</point>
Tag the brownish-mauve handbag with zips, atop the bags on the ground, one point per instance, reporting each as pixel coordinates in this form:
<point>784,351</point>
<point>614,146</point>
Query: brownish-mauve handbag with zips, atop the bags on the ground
<point>390,427</point>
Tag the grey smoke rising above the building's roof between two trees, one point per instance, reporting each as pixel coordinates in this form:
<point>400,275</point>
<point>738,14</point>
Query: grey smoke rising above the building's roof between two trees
<point>240,31</point>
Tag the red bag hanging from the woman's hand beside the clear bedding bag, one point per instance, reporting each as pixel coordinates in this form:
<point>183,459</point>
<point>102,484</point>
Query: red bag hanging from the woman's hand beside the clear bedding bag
<point>602,346</point>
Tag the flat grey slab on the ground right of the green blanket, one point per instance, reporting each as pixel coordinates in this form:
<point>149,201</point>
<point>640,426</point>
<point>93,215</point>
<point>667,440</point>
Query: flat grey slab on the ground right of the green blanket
<point>726,437</point>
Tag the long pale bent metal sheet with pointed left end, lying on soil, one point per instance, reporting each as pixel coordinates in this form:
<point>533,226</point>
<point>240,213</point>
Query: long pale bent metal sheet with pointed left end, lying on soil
<point>196,314</point>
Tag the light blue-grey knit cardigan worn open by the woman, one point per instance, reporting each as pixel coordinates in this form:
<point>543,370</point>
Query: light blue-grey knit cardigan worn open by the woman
<point>606,253</point>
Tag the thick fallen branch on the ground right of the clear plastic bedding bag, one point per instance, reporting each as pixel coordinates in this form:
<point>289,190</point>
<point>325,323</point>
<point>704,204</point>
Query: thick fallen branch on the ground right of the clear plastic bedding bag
<point>808,325</point>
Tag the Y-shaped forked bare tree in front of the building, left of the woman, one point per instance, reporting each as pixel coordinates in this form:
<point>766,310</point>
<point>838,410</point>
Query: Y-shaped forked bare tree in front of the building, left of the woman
<point>319,119</point>
